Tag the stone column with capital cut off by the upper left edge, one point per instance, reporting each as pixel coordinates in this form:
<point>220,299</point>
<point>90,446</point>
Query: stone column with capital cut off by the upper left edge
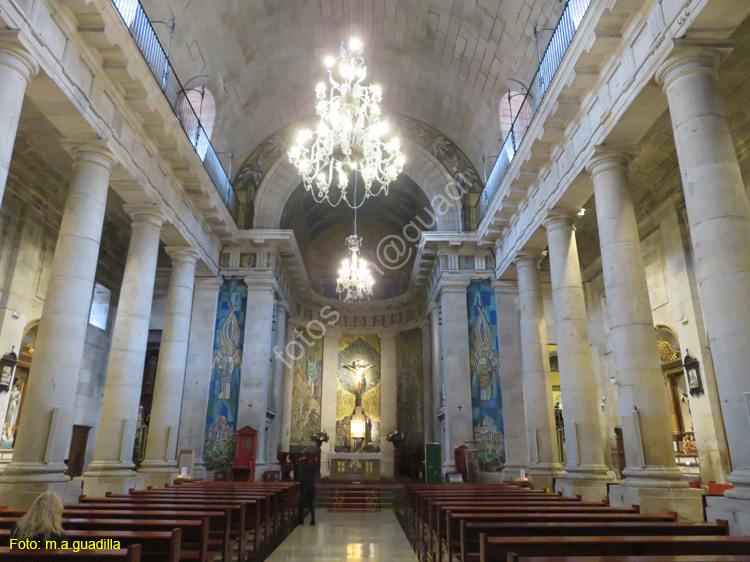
<point>17,68</point>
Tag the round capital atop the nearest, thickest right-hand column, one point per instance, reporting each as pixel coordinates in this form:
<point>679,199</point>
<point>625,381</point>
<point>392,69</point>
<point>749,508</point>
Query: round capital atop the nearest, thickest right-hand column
<point>690,57</point>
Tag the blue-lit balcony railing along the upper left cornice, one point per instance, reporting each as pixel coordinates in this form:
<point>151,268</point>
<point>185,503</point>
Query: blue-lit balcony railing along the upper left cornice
<point>141,30</point>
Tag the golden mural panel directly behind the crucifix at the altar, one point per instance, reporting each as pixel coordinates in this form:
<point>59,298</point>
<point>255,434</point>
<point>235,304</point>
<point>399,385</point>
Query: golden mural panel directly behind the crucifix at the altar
<point>358,383</point>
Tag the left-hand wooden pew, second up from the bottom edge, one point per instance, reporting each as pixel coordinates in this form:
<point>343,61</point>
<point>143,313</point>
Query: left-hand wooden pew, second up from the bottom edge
<point>156,546</point>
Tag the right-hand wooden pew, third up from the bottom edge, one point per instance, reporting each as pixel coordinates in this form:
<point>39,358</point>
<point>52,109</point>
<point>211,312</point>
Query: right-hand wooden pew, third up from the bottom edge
<point>468,546</point>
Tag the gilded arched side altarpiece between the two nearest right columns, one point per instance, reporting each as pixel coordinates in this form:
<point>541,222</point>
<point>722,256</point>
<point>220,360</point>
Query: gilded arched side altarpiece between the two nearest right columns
<point>670,354</point>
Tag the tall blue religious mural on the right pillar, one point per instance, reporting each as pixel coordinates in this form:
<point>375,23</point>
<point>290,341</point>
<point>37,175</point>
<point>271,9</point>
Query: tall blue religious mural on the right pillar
<point>486,398</point>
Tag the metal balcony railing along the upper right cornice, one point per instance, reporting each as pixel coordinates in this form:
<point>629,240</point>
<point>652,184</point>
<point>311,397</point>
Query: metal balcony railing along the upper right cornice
<point>558,45</point>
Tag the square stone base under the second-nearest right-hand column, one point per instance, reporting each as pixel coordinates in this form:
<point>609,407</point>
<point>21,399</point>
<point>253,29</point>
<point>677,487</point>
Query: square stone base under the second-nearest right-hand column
<point>686,502</point>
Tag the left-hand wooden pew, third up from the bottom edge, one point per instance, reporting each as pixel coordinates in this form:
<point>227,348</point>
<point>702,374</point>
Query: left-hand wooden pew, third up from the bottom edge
<point>194,533</point>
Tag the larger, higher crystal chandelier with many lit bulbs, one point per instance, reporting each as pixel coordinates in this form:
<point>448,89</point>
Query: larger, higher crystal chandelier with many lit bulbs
<point>348,136</point>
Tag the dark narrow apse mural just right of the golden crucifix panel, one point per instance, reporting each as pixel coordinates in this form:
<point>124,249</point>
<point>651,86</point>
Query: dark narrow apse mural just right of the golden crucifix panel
<point>410,408</point>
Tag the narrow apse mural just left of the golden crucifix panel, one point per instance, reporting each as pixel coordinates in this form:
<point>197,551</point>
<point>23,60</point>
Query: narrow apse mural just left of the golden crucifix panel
<point>307,393</point>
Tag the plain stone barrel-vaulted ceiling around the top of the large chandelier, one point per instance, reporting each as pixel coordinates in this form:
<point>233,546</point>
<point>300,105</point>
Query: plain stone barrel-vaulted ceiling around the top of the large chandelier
<point>443,62</point>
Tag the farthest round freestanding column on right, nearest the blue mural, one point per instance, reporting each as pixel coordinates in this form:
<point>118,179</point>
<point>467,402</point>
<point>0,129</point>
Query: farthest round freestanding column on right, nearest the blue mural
<point>544,464</point>
